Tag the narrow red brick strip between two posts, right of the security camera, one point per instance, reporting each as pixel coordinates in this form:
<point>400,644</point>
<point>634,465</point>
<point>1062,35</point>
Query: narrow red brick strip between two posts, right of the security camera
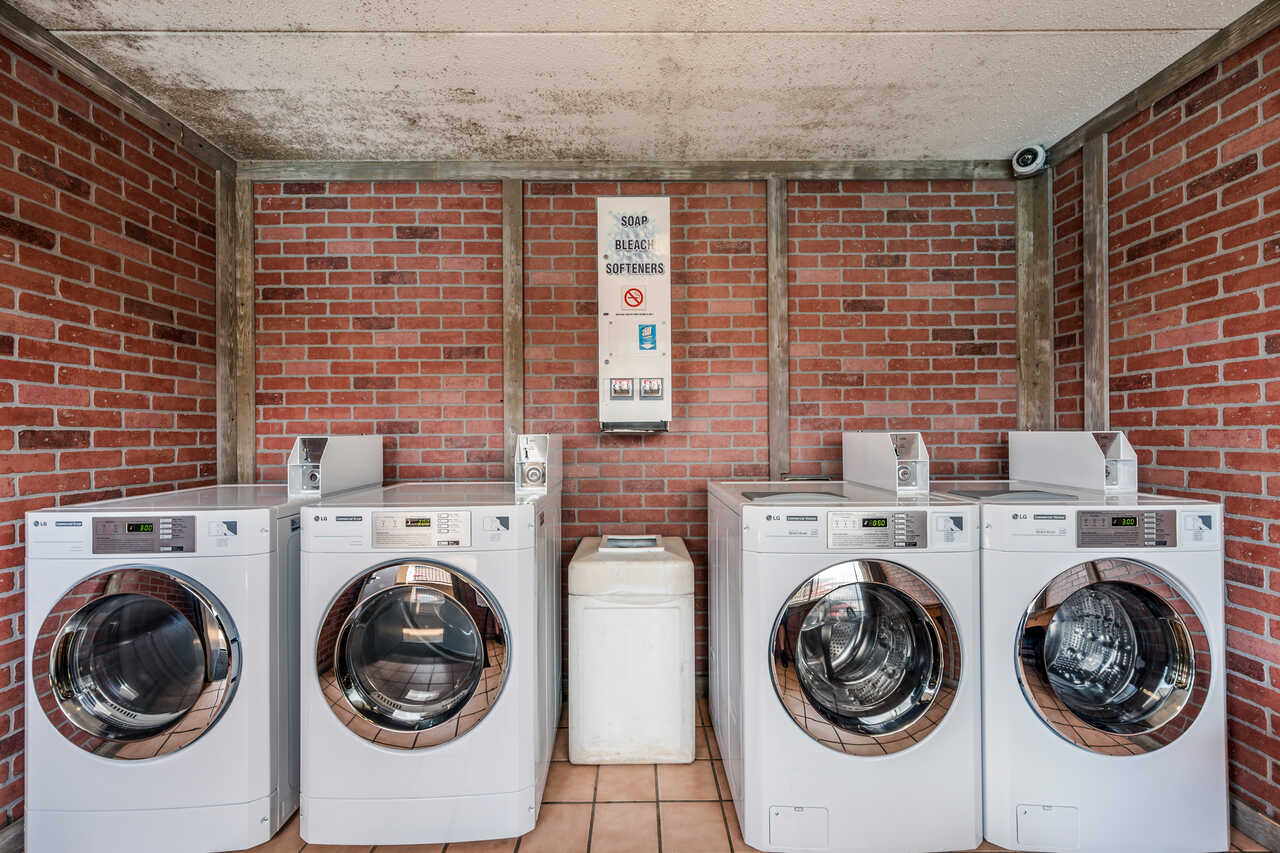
<point>1068,295</point>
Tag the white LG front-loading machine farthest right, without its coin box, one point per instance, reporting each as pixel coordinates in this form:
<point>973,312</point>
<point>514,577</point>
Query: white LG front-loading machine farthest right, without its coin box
<point>1104,676</point>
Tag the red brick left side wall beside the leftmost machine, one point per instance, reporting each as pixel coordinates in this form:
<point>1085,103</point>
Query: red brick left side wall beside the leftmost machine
<point>107,326</point>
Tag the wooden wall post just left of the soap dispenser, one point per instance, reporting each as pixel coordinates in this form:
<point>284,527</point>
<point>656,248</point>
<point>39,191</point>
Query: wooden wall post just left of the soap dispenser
<point>513,320</point>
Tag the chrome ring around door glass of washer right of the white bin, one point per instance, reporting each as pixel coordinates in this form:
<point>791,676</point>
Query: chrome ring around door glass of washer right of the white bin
<point>930,697</point>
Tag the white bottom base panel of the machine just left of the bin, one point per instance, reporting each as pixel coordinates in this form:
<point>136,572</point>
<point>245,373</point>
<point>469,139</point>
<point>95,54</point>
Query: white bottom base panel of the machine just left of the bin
<point>437,820</point>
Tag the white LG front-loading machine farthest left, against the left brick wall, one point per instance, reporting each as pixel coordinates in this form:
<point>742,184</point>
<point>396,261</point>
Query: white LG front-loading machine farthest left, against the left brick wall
<point>162,700</point>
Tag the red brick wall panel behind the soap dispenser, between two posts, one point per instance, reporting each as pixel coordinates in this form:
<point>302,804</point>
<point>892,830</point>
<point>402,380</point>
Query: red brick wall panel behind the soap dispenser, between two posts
<point>720,363</point>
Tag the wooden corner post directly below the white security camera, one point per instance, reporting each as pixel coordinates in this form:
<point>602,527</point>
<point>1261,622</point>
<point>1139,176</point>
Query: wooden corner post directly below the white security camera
<point>1035,304</point>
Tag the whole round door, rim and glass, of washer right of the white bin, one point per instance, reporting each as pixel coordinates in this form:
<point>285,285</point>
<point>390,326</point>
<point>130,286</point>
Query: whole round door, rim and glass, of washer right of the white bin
<point>866,658</point>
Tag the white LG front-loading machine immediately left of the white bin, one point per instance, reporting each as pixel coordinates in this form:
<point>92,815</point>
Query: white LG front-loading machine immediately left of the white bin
<point>431,663</point>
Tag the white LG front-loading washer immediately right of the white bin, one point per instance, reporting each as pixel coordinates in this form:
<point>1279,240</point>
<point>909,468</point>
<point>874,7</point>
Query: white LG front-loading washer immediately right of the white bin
<point>844,667</point>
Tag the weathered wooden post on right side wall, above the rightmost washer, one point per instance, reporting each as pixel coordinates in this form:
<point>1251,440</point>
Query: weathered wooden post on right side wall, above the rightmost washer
<point>1096,336</point>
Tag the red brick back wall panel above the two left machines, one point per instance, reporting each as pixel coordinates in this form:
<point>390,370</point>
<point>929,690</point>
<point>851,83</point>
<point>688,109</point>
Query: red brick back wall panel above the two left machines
<point>380,311</point>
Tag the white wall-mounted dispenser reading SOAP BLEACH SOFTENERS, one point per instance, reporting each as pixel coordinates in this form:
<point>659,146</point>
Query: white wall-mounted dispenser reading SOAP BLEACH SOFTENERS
<point>634,259</point>
